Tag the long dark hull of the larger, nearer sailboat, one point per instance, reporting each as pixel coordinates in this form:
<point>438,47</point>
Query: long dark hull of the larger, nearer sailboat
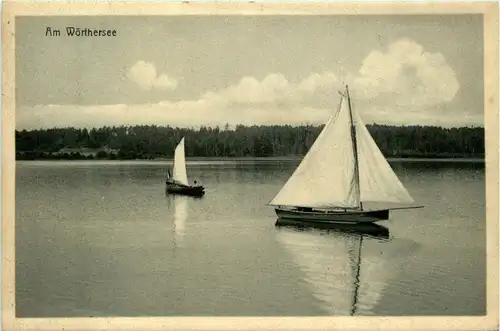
<point>343,217</point>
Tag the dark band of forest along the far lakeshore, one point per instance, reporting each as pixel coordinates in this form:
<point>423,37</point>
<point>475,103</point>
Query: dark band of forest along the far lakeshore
<point>151,142</point>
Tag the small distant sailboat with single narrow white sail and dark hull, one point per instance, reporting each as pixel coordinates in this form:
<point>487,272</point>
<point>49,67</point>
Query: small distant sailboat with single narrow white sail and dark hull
<point>178,182</point>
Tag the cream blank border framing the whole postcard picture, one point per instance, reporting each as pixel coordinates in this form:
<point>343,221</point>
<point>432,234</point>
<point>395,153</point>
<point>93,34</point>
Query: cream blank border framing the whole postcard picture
<point>491,87</point>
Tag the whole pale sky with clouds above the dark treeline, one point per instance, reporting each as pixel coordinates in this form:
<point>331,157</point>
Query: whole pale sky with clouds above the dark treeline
<point>189,71</point>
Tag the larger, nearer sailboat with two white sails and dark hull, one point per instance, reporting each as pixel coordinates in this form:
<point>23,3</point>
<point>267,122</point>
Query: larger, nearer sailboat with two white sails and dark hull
<point>343,170</point>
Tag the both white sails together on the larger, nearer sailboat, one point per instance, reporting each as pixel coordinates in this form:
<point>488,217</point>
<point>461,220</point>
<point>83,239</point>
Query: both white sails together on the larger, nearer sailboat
<point>327,178</point>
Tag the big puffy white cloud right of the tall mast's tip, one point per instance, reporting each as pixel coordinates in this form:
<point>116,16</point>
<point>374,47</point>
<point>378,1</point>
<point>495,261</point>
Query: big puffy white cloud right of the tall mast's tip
<point>407,75</point>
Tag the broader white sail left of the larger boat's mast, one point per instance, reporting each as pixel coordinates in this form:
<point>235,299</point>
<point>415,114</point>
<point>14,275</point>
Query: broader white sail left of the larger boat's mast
<point>325,177</point>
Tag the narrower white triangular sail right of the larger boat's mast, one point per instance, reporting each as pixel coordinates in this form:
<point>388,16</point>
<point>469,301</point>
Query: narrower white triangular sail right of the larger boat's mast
<point>378,182</point>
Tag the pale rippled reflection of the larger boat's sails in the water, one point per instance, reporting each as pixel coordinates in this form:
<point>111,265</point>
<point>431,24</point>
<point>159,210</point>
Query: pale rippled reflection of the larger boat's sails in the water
<point>339,269</point>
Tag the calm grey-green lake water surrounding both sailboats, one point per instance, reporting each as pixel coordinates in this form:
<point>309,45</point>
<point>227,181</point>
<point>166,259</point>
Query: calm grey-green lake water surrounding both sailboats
<point>103,239</point>
